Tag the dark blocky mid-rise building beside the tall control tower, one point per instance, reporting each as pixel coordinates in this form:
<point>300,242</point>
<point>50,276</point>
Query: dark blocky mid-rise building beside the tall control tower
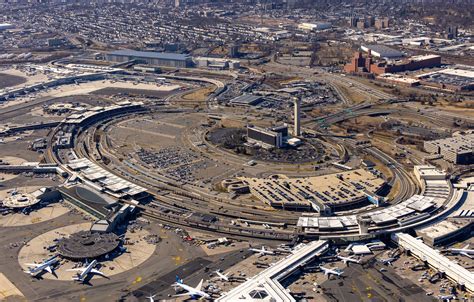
<point>267,137</point>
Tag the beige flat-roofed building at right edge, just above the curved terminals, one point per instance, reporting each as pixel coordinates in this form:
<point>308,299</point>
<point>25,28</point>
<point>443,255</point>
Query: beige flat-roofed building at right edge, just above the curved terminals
<point>457,149</point>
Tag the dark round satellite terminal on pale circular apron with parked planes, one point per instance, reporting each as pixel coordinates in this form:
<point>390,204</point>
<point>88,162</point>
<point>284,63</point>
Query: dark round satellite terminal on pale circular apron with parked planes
<point>87,245</point>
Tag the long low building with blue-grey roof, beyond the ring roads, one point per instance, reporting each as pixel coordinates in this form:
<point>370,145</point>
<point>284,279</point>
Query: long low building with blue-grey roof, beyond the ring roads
<point>152,58</point>
